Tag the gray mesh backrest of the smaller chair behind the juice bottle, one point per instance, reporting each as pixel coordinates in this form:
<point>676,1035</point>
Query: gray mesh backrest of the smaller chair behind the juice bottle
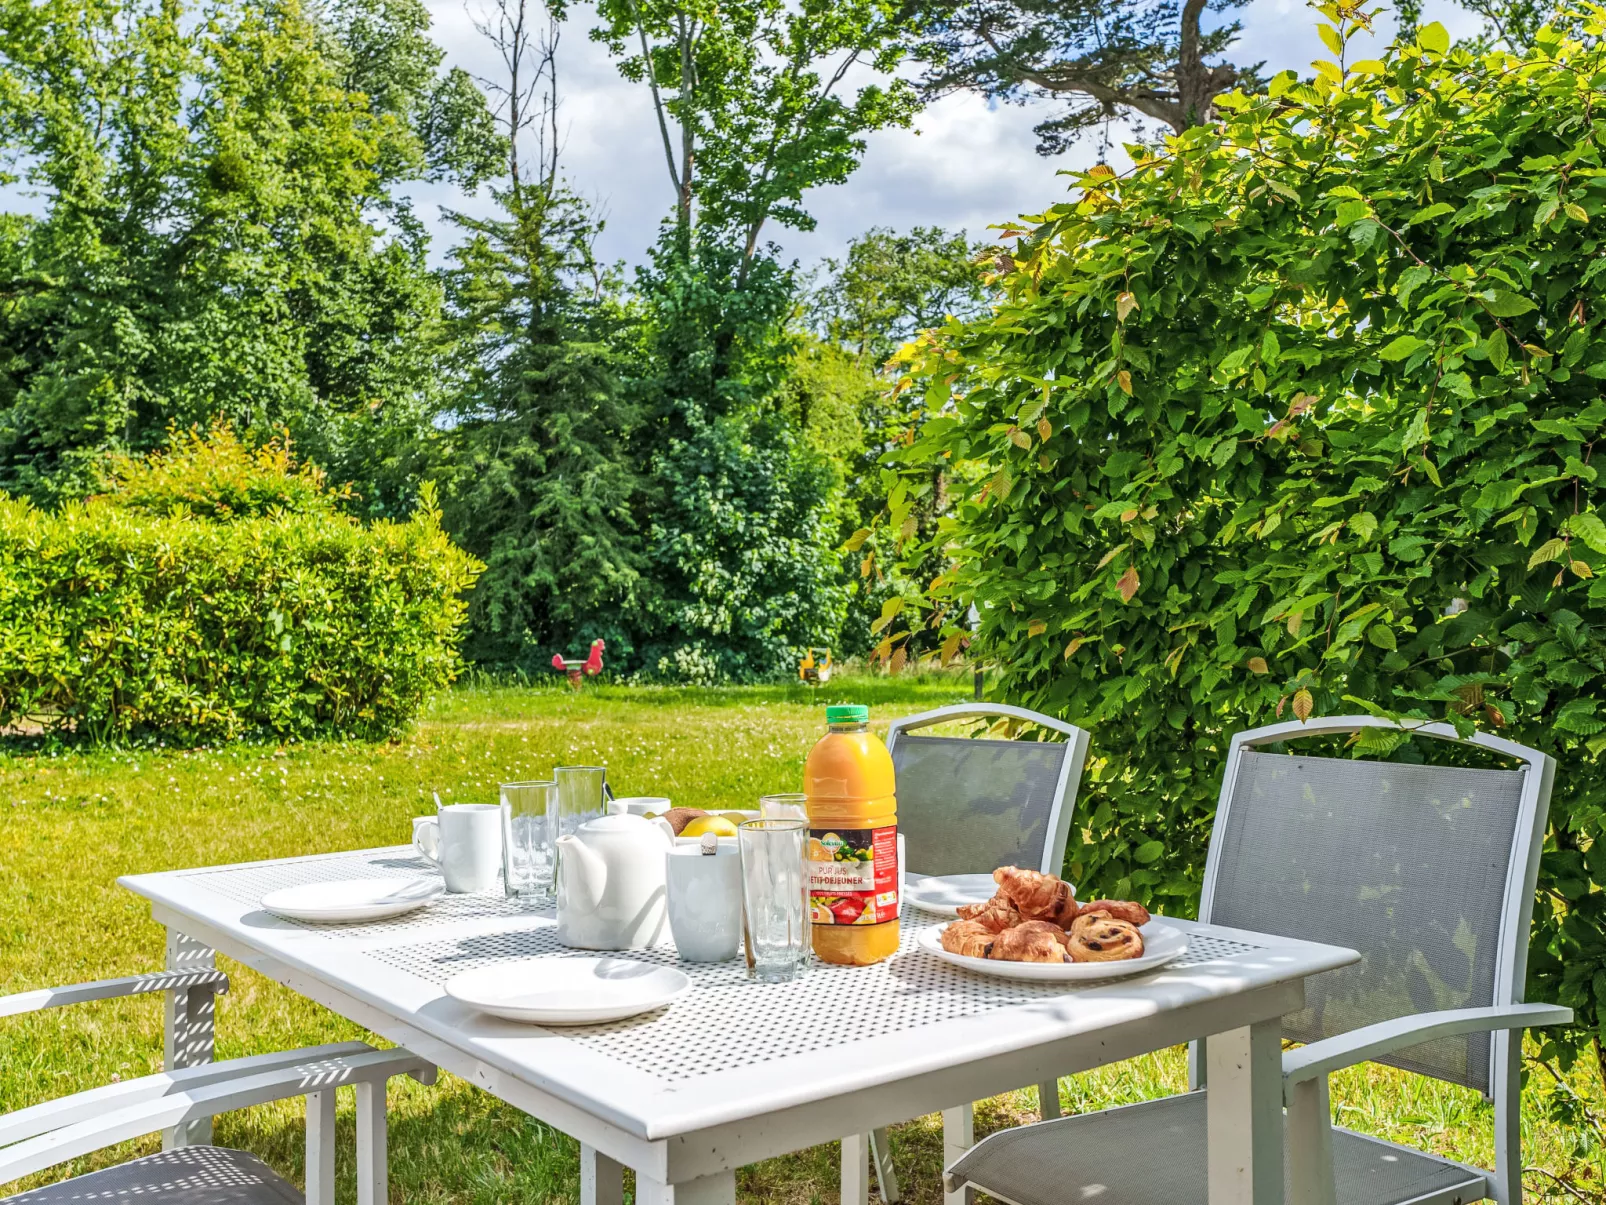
<point>971,806</point>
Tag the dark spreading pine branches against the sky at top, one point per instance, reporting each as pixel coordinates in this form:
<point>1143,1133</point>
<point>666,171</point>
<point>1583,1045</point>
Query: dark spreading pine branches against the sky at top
<point>1103,59</point>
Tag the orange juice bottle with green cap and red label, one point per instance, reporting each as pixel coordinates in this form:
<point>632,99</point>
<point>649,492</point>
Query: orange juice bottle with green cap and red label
<point>854,841</point>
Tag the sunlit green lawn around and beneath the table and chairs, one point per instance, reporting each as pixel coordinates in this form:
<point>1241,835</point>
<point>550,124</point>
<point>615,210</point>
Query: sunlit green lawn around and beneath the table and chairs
<point>71,822</point>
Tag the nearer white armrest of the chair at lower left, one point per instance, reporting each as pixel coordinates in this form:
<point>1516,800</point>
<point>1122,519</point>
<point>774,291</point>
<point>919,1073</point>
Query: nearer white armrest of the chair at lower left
<point>144,1117</point>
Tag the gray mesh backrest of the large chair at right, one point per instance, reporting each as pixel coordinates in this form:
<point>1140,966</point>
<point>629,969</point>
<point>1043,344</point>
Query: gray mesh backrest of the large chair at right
<point>1429,872</point>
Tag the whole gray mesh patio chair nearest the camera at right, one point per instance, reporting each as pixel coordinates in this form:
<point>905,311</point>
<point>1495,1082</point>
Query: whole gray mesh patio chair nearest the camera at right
<point>1429,872</point>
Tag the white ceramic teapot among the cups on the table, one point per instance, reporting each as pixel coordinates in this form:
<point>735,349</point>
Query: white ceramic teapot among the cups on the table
<point>611,883</point>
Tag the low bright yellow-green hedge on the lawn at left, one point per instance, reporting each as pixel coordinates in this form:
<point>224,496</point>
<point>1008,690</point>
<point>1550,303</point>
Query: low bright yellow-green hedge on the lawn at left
<point>132,616</point>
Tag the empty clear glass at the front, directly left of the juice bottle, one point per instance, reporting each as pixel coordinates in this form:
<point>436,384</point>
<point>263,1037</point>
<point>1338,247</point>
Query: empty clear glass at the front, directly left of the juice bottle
<point>773,894</point>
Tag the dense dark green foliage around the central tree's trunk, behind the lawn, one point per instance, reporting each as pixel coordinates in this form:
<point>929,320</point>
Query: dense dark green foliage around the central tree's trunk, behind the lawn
<point>743,509</point>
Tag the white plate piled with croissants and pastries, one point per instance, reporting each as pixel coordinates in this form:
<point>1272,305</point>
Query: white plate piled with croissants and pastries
<point>1035,929</point>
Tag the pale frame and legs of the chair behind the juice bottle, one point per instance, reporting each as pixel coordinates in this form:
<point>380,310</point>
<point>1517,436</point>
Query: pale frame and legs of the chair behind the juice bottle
<point>858,1154</point>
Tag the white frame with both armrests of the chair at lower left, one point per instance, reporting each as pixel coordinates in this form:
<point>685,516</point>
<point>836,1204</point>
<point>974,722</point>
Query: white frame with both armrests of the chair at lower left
<point>184,1100</point>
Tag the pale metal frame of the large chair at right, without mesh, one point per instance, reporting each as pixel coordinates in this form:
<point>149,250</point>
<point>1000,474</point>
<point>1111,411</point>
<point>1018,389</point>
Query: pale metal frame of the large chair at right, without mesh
<point>1306,1069</point>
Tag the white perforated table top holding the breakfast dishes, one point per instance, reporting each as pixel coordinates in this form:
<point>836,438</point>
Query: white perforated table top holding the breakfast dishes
<point>728,1050</point>
